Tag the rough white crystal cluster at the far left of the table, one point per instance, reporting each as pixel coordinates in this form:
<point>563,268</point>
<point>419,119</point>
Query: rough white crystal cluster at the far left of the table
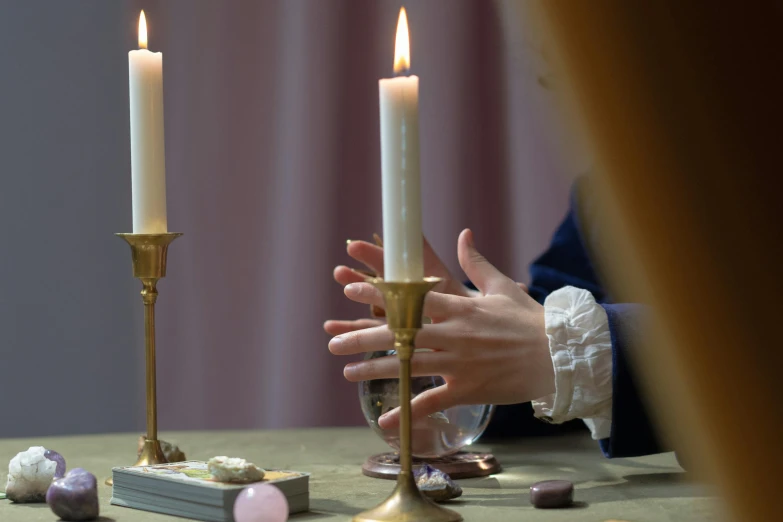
<point>30,474</point>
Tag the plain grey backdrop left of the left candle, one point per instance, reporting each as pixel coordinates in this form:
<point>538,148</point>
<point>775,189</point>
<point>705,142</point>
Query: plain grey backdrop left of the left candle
<point>70,353</point>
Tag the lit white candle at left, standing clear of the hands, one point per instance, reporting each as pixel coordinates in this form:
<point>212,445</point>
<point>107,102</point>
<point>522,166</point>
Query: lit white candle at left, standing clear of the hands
<point>148,165</point>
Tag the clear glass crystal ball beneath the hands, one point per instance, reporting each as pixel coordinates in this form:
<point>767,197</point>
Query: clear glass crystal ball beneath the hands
<point>438,435</point>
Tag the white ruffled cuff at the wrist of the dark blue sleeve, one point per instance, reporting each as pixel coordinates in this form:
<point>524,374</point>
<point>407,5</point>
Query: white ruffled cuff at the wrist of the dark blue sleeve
<point>581,348</point>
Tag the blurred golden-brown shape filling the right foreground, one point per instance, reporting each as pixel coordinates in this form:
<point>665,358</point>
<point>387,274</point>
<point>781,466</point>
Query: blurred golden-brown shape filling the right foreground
<point>681,103</point>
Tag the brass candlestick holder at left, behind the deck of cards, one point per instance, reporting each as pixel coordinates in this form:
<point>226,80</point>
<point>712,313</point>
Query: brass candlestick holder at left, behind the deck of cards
<point>149,252</point>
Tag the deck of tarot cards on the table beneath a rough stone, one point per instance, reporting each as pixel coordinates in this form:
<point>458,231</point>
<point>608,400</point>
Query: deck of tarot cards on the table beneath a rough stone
<point>186,489</point>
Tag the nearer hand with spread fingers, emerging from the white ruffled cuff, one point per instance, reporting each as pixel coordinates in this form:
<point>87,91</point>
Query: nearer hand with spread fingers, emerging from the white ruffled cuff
<point>491,349</point>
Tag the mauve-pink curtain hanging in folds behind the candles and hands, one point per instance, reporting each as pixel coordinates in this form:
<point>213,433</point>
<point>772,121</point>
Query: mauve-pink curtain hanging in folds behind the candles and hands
<point>273,162</point>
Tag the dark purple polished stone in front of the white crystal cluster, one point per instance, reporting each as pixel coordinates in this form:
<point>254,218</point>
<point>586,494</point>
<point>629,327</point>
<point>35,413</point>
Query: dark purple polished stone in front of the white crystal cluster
<point>74,497</point>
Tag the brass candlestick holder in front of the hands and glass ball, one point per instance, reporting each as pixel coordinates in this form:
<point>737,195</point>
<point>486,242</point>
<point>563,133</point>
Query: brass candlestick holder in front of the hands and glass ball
<point>404,311</point>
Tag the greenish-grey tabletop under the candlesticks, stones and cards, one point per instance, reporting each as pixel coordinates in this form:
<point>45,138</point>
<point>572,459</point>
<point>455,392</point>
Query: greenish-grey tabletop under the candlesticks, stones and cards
<point>652,488</point>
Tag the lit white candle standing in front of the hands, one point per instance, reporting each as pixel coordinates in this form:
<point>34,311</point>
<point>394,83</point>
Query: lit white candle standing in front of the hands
<point>399,101</point>
